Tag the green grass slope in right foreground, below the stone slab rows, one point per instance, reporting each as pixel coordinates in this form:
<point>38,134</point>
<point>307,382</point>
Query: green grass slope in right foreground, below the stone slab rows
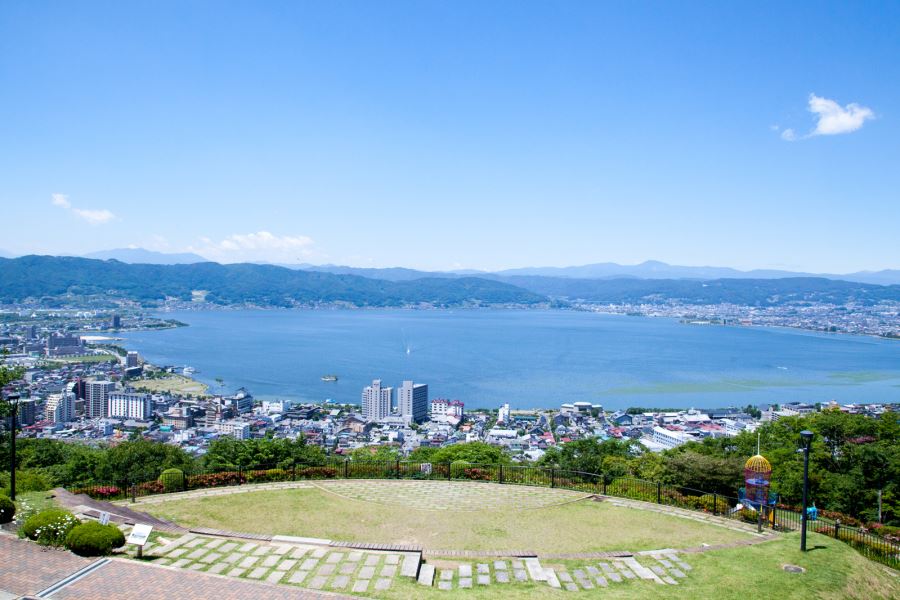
<point>834,571</point>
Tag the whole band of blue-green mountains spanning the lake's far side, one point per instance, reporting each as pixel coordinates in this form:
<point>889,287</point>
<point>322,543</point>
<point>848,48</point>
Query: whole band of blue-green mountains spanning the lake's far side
<point>67,279</point>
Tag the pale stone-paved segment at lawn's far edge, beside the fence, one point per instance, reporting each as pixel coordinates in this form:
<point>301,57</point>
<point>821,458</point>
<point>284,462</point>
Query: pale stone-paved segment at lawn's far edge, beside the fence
<point>445,495</point>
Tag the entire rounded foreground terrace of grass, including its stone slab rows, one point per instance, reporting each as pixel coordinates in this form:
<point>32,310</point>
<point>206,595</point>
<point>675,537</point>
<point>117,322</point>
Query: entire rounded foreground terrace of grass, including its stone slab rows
<point>474,539</point>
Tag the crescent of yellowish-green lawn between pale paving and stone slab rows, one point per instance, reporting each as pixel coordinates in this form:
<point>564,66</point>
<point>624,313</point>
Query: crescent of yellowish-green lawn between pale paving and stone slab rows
<point>575,527</point>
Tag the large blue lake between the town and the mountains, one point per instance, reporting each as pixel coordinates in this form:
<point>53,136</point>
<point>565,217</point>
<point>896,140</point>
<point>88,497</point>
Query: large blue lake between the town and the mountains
<point>528,358</point>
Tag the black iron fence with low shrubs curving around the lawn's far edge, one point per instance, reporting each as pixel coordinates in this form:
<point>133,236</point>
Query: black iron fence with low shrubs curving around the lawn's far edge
<point>776,518</point>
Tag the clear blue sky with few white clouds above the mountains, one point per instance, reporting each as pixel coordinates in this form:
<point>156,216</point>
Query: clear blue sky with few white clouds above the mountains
<point>458,134</point>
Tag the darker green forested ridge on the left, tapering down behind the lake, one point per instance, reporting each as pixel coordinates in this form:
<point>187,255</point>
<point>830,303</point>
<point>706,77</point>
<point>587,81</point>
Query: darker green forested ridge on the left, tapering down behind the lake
<point>60,276</point>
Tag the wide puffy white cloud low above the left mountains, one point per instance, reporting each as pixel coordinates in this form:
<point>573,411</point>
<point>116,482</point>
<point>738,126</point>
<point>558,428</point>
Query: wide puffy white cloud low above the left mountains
<point>261,246</point>
